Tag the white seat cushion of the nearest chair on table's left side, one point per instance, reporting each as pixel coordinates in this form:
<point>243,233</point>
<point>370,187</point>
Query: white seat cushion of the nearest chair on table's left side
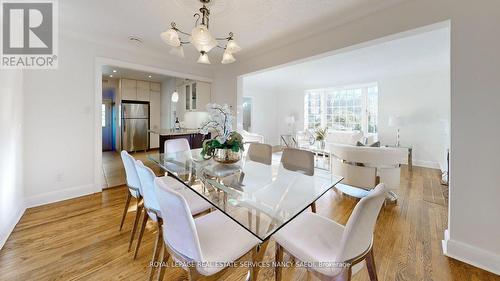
<point>221,240</point>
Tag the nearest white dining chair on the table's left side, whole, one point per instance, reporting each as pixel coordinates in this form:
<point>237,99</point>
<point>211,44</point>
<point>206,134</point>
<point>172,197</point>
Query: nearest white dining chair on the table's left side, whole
<point>207,240</point>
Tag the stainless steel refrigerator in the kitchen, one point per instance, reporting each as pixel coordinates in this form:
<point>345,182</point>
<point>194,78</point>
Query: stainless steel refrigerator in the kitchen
<point>135,126</point>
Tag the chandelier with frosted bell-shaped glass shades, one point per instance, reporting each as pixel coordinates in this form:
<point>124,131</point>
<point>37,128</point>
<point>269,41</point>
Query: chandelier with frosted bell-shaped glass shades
<point>200,38</point>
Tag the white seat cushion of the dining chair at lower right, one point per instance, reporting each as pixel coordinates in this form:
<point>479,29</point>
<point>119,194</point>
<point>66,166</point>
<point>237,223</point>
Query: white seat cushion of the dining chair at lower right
<point>312,238</point>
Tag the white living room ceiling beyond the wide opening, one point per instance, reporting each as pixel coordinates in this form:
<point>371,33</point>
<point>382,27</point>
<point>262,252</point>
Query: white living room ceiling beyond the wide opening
<point>425,52</point>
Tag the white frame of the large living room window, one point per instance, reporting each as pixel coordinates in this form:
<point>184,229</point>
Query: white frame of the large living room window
<point>324,92</point>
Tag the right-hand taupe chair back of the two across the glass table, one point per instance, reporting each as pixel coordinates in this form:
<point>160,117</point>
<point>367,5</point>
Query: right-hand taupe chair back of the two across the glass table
<point>298,160</point>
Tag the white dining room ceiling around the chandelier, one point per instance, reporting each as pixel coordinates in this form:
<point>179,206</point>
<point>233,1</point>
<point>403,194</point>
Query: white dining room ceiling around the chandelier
<point>255,23</point>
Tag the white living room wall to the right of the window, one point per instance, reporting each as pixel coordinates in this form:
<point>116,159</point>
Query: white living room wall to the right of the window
<point>423,103</point>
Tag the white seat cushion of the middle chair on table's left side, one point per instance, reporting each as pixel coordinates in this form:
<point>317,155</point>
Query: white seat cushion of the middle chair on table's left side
<point>195,202</point>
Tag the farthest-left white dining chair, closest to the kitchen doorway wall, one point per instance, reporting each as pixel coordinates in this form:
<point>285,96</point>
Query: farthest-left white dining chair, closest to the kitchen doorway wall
<point>134,190</point>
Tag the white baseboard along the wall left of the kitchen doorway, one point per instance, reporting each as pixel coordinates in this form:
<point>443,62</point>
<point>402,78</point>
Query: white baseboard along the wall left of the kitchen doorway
<point>60,195</point>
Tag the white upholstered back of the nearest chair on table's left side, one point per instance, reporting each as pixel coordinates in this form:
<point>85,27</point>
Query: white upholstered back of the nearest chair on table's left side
<point>180,233</point>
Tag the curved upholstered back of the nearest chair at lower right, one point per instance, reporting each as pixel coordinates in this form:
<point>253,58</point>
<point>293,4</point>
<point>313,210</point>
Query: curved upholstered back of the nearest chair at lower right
<point>358,232</point>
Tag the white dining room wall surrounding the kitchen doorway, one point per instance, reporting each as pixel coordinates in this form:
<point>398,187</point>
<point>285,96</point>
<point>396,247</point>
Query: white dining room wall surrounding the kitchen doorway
<point>59,129</point>
